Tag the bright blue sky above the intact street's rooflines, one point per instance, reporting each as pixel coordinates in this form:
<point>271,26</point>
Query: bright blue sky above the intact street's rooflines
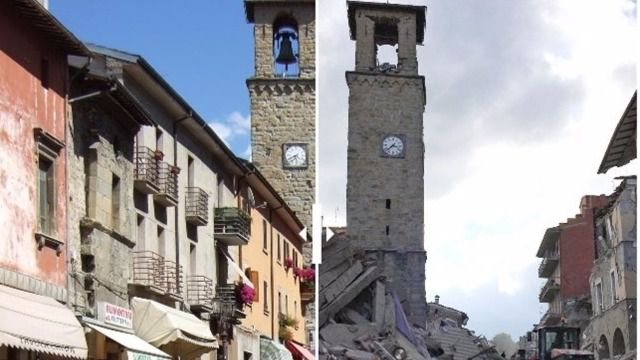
<point>204,49</point>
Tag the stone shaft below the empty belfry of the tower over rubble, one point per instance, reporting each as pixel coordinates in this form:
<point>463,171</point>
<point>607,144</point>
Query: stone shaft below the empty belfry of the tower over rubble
<point>385,196</point>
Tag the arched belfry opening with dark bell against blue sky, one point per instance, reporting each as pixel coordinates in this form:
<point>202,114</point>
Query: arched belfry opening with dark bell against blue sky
<point>286,47</point>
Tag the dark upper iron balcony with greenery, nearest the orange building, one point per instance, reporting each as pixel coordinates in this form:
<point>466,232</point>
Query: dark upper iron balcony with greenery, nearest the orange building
<point>232,226</point>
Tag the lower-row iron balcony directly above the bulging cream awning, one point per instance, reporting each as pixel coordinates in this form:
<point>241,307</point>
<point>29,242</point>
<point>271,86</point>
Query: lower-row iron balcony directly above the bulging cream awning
<point>153,272</point>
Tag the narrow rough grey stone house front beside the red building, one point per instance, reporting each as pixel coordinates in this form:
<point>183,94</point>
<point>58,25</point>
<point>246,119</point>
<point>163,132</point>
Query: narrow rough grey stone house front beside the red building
<point>101,149</point>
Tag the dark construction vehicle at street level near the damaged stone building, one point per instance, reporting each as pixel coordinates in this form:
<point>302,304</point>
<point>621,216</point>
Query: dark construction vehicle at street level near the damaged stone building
<point>561,343</point>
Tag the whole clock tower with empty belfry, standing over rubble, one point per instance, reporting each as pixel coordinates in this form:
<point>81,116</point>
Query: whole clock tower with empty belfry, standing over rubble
<point>385,161</point>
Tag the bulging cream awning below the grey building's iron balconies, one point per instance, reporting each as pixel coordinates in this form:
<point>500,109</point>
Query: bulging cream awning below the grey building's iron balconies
<point>160,325</point>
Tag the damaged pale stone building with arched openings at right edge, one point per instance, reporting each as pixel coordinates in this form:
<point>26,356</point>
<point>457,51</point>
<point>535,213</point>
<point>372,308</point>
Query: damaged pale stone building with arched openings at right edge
<point>613,327</point>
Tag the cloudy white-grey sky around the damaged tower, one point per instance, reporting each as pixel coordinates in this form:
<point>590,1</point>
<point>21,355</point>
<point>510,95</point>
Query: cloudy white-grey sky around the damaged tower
<point>522,98</point>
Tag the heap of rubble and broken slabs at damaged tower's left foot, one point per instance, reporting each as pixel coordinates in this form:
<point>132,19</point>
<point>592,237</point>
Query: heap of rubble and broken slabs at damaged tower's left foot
<point>360,318</point>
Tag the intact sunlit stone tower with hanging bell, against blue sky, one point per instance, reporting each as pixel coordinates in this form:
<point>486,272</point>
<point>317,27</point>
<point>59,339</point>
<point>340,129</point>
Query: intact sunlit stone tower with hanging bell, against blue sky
<point>282,94</point>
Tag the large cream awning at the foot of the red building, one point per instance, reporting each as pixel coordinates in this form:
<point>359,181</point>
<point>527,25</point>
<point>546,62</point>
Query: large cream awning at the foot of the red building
<point>39,323</point>
